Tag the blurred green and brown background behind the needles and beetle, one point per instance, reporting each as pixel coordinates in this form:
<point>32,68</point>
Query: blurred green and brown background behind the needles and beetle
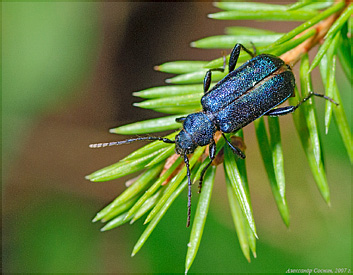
<point>68,70</point>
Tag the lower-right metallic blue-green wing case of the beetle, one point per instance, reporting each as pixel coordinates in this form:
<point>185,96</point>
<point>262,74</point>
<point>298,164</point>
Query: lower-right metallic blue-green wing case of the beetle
<point>269,93</point>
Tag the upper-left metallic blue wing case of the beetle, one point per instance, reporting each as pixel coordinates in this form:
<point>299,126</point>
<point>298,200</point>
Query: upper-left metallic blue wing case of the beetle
<point>240,81</point>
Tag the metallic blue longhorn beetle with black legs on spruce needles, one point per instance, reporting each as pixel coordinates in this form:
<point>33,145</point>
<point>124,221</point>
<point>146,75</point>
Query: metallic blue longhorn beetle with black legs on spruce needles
<point>254,89</point>
